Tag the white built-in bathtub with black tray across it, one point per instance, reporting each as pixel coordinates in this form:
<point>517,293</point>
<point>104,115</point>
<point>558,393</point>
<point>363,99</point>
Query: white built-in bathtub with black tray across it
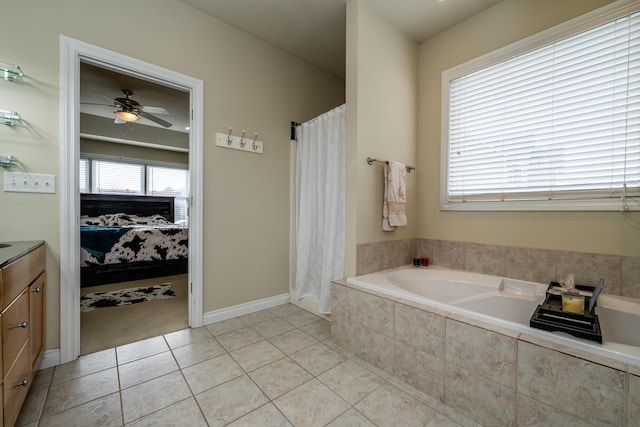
<point>509,304</point>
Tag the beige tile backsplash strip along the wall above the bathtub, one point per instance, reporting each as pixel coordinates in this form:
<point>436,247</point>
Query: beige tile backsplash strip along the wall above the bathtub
<point>621,274</point>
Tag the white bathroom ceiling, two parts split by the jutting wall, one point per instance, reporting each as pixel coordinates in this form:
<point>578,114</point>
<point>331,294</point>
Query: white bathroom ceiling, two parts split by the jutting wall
<point>315,30</point>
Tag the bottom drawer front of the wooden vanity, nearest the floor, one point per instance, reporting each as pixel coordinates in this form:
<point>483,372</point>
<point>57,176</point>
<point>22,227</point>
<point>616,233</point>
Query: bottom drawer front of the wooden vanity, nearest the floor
<point>16,385</point>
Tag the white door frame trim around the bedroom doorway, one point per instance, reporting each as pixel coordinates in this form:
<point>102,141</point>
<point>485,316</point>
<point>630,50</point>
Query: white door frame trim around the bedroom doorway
<point>72,52</point>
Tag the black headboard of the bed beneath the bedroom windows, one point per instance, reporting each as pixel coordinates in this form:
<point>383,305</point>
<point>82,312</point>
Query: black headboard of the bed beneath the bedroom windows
<point>99,204</point>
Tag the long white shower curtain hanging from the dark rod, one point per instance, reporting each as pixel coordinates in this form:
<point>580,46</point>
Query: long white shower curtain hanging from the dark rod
<point>320,205</point>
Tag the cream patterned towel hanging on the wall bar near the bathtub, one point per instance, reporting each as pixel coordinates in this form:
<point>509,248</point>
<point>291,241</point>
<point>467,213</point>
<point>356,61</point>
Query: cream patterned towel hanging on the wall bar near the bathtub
<point>395,195</point>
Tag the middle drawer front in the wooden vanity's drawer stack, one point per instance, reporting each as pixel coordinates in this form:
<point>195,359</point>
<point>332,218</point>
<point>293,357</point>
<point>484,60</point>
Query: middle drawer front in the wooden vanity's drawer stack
<point>15,331</point>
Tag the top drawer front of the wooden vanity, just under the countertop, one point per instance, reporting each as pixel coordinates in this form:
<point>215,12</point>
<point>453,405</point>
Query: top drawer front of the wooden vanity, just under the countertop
<point>19,274</point>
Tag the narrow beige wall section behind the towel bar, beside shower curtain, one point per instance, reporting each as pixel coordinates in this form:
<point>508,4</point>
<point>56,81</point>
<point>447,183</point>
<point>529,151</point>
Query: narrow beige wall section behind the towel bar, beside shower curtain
<point>382,104</point>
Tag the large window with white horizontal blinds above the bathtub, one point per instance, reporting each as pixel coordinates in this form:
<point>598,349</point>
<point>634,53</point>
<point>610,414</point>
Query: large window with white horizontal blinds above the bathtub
<point>556,127</point>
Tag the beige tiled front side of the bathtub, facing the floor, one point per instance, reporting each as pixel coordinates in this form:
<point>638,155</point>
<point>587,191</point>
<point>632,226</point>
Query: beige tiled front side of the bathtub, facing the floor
<point>492,375</point>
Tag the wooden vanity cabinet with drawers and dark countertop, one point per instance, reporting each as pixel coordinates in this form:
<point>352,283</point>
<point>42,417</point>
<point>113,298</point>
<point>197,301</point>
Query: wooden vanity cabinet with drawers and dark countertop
<point>22,304</point>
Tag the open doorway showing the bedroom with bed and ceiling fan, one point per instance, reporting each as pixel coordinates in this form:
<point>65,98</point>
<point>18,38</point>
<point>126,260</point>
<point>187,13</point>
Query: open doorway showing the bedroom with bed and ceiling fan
<point>133,182</point>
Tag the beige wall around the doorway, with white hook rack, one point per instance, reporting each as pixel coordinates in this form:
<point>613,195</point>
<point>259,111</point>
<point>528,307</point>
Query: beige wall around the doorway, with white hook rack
<point>248,85</point>
